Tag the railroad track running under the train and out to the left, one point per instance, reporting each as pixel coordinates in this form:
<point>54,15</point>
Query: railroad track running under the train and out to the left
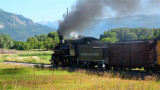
<point>99,71</point>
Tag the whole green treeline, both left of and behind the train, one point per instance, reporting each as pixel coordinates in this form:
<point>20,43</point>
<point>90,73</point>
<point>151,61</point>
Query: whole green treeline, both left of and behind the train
<point>51,39</point>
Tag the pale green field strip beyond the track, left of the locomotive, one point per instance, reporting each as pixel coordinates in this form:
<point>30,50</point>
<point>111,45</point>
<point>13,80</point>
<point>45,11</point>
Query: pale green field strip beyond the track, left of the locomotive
<point>28,56</point>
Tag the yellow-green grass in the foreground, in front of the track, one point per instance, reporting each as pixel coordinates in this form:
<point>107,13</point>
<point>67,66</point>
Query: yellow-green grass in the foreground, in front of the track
<point>14,77</point>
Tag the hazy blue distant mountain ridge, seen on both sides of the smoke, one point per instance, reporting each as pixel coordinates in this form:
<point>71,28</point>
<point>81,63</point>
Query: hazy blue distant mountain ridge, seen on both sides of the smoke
<point>136,21</point>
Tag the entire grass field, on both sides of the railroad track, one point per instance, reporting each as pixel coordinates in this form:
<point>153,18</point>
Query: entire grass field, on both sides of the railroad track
<point>14,77</point>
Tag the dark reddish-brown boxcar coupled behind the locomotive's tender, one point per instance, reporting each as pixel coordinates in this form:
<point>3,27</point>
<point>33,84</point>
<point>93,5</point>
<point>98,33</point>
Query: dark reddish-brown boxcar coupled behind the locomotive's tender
<point>135,54</point>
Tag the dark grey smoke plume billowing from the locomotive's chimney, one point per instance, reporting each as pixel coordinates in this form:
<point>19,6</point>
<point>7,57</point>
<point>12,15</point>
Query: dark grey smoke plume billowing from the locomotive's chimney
<point>84,12</point>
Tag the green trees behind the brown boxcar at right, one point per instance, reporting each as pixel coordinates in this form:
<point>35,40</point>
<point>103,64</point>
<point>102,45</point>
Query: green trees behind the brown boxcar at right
<point>123,34</point>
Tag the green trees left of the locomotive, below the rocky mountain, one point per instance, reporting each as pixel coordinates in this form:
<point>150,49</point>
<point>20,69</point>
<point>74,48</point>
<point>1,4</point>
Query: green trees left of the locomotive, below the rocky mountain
<point>38,42</point>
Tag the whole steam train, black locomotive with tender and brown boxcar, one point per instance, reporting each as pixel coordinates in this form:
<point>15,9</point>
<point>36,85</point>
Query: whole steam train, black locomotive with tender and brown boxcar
<point>89,52</point>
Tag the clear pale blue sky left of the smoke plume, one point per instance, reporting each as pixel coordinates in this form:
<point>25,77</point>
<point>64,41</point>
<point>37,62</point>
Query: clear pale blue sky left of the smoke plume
<point>37,10</point>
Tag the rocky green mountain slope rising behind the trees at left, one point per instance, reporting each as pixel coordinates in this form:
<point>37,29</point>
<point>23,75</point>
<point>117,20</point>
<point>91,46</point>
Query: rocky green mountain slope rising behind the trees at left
<point>19,27</point>
